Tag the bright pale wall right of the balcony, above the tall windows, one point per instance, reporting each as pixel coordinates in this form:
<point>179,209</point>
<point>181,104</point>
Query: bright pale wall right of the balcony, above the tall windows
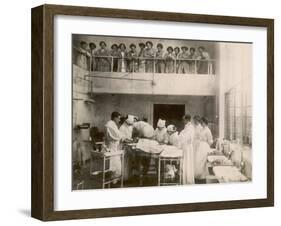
<point>234,69</point>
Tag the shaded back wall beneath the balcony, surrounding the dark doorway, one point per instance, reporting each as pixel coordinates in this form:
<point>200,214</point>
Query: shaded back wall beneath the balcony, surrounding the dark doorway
<point>142,106</point>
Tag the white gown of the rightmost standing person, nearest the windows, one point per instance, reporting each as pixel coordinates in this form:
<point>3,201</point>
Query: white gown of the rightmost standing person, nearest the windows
<point>201,153</point>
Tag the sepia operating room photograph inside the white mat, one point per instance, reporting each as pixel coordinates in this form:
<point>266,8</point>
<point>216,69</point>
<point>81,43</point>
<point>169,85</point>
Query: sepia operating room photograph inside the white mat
<point>160,112</point>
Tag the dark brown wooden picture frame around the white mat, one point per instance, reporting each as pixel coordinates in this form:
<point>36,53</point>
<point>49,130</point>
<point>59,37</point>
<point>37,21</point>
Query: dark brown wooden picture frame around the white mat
<point>43,112</point>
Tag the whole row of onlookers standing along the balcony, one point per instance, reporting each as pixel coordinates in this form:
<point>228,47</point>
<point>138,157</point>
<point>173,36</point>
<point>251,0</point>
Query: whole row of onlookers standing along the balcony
<point>145,59</point>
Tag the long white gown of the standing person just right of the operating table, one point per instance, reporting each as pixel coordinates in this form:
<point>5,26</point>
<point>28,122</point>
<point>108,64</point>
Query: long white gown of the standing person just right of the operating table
<point>186,143</point>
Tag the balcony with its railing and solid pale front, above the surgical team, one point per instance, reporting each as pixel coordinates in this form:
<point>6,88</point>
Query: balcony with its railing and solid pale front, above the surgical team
<point>132,80</point>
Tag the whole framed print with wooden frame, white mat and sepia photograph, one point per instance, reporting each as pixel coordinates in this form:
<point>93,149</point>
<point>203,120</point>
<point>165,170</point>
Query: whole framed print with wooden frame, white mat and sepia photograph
<point>141,112</point>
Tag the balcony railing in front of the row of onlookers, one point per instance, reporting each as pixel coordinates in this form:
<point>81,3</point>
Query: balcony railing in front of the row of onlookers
<point>145,64</point>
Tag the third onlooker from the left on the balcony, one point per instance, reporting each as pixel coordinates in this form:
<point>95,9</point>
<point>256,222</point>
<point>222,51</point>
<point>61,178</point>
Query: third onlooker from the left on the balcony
<point>103,58</point>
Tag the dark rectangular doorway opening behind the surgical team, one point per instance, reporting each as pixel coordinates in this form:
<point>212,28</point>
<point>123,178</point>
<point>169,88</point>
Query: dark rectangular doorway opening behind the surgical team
<point>172,113</point>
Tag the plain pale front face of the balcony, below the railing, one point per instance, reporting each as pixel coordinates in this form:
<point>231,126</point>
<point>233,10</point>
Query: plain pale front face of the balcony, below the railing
<point>157,84</point>
